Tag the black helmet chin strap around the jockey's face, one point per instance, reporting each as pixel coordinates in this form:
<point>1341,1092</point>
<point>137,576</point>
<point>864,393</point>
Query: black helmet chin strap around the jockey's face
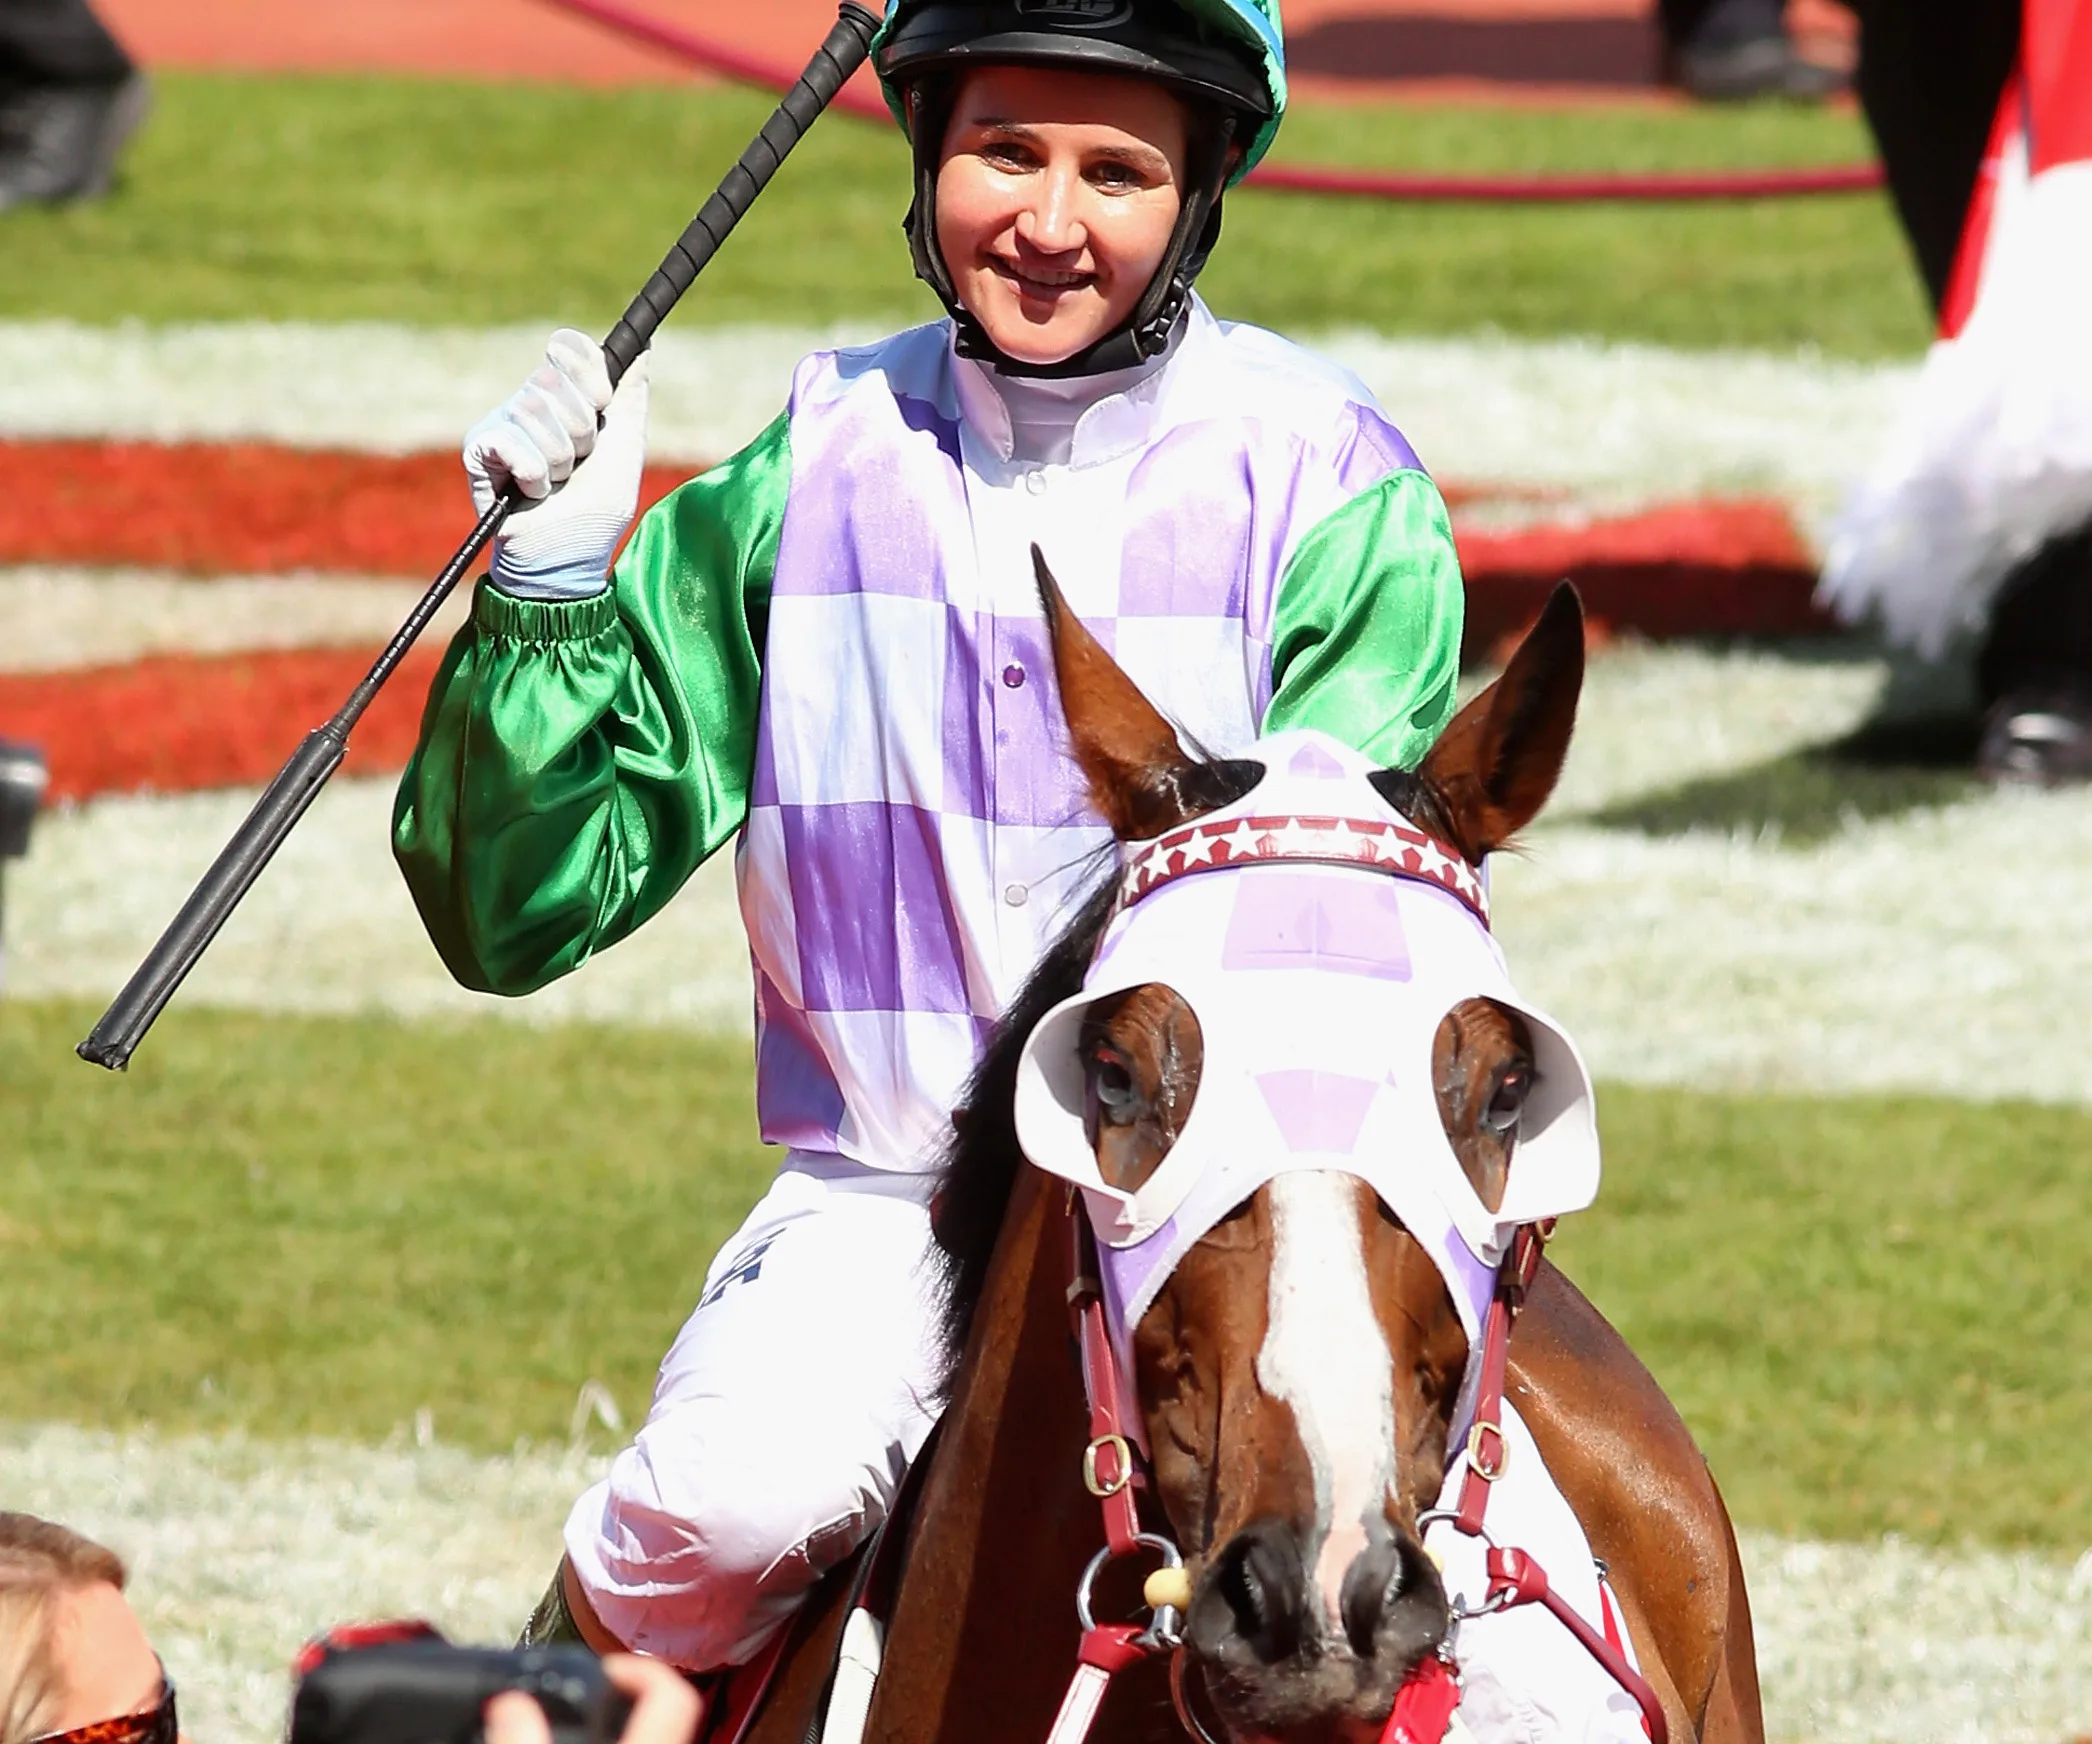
<point>1147,331</point>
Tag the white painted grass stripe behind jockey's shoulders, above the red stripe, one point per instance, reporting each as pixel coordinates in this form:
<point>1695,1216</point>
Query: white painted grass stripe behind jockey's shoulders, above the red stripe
<point>1618,426</point>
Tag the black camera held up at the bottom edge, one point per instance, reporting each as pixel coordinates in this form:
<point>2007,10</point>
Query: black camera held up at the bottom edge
<point>432,1693</point>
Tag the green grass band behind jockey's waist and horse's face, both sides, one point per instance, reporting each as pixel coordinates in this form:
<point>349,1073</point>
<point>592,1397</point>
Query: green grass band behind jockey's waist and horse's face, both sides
<point>1869,1310</point>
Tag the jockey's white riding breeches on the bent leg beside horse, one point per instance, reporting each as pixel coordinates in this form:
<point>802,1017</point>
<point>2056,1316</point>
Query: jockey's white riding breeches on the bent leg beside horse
<point>783,1419</point>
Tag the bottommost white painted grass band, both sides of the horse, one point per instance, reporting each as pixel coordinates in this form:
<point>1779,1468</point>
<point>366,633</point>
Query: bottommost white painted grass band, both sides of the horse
<point>242,1551</point>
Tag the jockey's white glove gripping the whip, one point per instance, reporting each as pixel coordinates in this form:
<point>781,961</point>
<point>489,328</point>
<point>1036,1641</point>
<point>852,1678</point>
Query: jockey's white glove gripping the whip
<point>560,545</point>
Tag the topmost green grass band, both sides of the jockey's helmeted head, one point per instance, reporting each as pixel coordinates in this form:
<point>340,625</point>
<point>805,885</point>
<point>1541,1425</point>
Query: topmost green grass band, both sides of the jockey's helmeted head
<point>447,202</point>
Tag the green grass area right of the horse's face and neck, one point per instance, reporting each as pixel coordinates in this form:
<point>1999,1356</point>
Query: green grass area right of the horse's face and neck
<point>1869,1310</point>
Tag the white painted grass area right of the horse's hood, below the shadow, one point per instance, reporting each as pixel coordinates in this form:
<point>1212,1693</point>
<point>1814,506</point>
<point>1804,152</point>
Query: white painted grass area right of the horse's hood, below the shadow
<point>1942,953</point>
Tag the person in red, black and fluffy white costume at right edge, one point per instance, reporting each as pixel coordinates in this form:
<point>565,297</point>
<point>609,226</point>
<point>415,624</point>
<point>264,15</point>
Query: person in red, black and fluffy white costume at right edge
<point>1974,532</point>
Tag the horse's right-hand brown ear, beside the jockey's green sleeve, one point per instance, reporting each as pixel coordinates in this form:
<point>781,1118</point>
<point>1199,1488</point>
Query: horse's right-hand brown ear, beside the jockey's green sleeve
<point>1499,762</point>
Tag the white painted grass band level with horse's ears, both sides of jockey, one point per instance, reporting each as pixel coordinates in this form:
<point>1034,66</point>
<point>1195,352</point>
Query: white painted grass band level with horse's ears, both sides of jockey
<point>1936,950</point>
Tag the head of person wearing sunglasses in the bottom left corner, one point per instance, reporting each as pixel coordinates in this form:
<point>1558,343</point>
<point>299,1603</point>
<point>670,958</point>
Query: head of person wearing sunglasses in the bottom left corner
<point>76,1666</point>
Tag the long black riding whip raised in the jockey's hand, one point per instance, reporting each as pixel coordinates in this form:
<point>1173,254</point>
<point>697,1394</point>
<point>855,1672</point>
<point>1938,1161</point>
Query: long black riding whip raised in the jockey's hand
<point>298,783</point>
